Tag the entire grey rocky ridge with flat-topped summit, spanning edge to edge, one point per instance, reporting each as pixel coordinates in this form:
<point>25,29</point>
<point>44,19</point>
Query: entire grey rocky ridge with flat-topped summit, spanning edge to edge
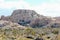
<point>31,18</point>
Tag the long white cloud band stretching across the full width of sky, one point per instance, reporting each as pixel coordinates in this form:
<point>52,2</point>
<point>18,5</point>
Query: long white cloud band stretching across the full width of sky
<point>48,9</point>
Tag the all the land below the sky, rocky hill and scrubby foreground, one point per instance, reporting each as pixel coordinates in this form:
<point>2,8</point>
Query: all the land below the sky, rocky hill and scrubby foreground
<point>28,25</point>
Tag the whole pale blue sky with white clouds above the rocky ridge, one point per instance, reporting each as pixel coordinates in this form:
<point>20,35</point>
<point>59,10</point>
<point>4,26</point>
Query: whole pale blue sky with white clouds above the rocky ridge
<point>42,7</point>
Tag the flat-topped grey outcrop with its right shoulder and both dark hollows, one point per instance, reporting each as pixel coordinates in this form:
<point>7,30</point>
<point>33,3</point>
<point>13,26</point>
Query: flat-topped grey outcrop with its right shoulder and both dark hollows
<point>29,17</point>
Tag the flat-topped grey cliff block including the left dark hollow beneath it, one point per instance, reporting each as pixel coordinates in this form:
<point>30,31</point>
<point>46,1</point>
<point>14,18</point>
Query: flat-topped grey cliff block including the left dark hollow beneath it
<point>23,17</point>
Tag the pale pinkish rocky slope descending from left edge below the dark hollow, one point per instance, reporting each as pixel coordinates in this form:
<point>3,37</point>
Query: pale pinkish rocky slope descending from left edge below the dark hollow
<point>9,24</point>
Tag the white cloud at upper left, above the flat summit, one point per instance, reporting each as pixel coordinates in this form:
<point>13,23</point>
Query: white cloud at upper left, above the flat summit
<point>19,4</point>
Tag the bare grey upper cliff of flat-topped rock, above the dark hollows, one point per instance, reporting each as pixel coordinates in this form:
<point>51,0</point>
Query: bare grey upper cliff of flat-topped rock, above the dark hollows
<point>26,15</point>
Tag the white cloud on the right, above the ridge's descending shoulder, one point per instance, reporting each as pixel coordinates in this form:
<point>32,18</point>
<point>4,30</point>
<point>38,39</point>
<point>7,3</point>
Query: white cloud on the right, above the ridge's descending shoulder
<point>48,9</point>
